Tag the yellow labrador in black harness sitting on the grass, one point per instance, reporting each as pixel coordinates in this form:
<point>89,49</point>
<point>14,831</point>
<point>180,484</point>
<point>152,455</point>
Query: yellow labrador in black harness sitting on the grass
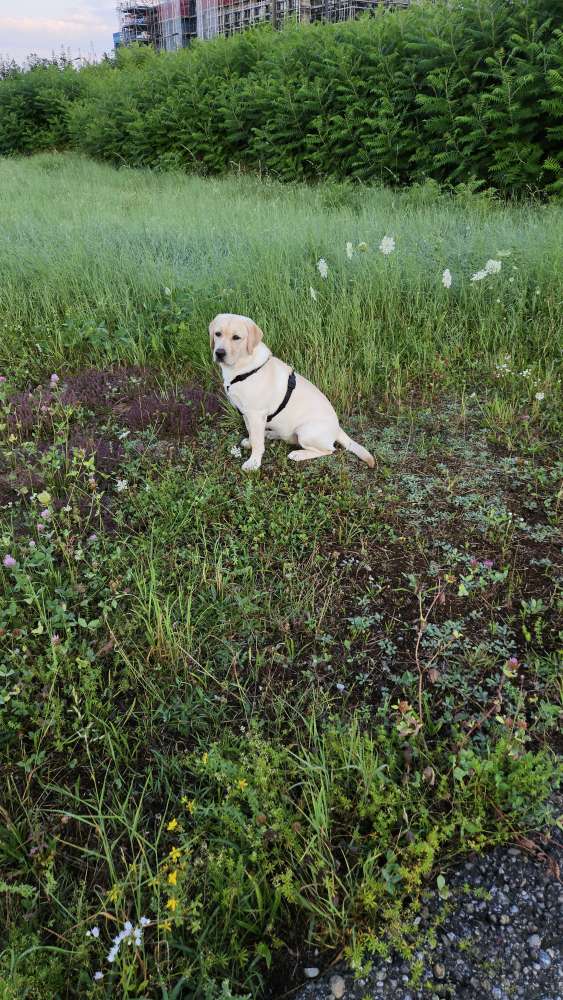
<point>274,401</point>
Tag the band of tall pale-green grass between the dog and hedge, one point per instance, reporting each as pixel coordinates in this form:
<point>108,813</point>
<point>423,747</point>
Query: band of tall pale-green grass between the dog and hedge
<point>96,262</point>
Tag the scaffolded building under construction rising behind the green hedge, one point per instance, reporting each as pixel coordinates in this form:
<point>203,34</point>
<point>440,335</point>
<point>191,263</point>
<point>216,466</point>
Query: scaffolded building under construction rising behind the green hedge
<point>172,24</point>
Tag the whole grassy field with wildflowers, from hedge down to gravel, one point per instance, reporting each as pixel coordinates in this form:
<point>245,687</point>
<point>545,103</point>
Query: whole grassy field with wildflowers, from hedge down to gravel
<point>245,718</point>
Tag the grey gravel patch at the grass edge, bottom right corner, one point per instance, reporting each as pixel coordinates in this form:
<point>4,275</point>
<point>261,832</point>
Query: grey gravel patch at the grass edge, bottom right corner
<point>502,939</point>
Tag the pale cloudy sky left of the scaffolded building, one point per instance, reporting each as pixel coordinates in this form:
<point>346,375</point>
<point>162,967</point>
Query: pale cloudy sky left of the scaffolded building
<point>45,26</point>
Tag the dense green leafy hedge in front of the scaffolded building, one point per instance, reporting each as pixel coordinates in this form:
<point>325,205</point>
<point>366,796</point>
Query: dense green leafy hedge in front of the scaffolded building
<point>449,90</point>
